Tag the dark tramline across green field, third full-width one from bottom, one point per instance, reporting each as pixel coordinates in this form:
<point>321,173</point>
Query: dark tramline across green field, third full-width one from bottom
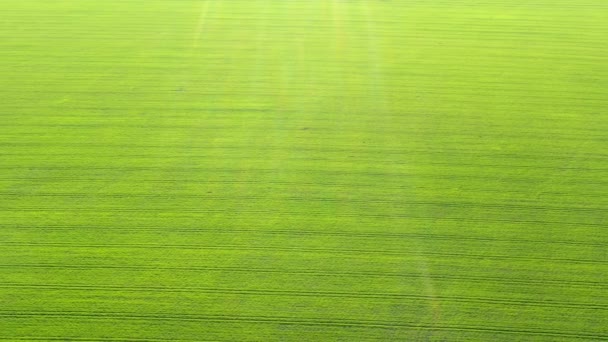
<point>316,272</point>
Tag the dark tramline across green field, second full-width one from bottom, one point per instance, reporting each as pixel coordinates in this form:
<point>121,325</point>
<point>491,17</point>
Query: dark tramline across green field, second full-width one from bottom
<point>295,293</point>
